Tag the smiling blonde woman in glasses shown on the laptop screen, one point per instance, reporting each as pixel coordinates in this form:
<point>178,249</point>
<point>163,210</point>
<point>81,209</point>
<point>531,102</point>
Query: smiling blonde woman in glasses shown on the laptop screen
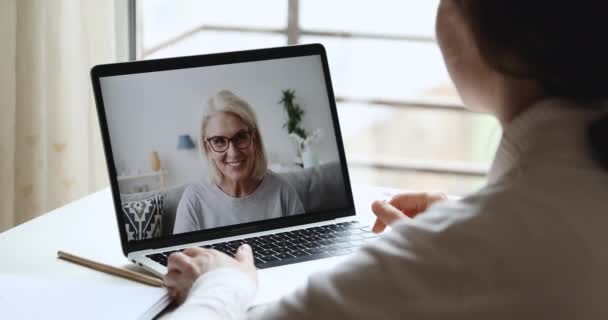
<point>240,187</point>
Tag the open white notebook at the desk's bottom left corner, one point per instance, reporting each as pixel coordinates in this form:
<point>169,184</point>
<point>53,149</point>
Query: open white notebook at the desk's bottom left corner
<point>27,297</point>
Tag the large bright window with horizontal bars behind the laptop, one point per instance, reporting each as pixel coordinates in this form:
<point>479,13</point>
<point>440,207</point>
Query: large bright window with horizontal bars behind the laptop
<point>402,122</point>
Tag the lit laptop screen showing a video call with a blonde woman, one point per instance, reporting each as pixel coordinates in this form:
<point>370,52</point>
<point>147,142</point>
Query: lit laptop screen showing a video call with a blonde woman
<point>223,145</point>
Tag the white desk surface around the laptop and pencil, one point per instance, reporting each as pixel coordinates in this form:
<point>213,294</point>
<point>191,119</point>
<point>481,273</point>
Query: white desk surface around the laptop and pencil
<point>88,227</point>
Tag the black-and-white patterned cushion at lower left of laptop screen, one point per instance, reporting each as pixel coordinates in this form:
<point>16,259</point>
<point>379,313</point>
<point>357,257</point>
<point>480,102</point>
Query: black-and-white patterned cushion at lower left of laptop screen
<point>143,217</point>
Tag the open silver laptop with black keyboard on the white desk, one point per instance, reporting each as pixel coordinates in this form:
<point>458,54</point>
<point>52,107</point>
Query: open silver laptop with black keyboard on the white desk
<point>222,149</point>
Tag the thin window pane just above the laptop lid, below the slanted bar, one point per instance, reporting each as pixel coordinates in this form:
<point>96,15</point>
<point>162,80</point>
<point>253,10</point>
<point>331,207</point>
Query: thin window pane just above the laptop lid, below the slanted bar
<point>209,42</point>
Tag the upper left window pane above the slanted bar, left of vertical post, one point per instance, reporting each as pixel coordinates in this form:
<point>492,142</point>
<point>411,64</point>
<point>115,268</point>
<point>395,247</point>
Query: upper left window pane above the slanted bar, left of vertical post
<point>164,19</point>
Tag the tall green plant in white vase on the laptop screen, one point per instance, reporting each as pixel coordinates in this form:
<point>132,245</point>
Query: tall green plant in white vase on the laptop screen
<point>303,138</point>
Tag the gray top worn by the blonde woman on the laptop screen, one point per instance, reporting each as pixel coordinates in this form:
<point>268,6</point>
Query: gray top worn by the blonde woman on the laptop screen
<point>204,205</point>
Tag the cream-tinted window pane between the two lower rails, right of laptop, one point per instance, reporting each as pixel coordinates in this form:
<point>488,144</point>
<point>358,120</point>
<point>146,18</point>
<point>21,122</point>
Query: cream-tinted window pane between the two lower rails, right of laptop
<point>378,132</point>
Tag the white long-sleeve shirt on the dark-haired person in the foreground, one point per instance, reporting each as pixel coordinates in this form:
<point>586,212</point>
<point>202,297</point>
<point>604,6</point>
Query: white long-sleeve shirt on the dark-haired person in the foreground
<point>531,244</point>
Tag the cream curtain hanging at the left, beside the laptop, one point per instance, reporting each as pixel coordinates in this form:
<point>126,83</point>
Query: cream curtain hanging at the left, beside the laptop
<point>50,151</point>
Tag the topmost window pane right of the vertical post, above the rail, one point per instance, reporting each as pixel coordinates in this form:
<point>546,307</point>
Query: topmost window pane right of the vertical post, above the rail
<point>411,17</point>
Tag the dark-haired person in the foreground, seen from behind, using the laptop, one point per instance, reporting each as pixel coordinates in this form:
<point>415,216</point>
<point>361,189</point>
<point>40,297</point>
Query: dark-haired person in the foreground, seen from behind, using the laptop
<point>531,244</point>
